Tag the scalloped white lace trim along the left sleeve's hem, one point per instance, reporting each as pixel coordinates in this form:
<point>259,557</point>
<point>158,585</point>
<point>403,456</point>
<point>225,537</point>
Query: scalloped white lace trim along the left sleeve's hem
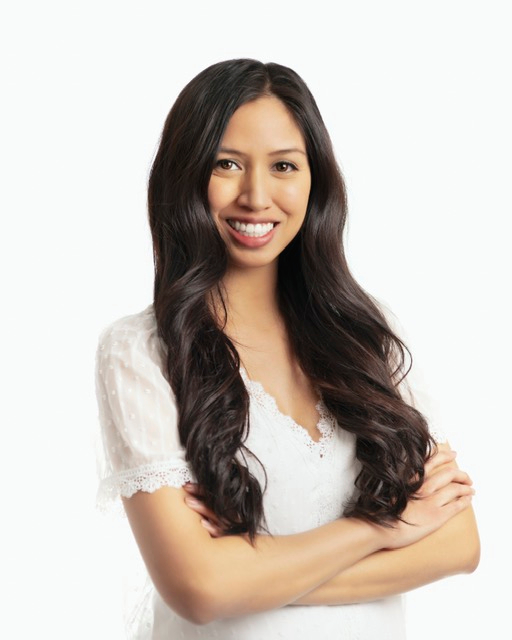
<point>148,477</point>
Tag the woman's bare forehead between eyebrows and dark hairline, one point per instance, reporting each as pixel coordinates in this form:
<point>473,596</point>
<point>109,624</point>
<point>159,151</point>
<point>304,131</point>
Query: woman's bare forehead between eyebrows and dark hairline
<point>263,124</point>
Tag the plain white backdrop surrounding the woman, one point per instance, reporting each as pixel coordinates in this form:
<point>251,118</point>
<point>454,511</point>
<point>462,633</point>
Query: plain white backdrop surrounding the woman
<point>416,96</point>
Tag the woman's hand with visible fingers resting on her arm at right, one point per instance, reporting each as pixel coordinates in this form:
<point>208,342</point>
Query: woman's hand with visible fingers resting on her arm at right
<point>445,492</point>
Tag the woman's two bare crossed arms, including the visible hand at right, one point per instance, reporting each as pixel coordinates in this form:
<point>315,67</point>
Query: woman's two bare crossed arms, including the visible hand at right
<point>204,575</point>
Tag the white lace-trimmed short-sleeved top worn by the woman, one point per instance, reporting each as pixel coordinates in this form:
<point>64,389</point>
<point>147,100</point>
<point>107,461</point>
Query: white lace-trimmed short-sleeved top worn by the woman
<point>309,484</point>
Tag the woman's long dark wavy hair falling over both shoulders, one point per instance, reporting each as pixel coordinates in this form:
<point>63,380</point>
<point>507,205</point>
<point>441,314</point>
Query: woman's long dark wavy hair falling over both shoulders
<point>340,336</point>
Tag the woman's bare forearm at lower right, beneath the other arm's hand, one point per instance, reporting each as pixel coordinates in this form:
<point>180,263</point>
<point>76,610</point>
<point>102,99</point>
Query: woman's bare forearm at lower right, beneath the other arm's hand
<point>452,549</point>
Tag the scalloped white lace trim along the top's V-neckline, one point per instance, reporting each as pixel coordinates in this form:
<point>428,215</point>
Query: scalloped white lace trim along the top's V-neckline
<point>326,423</point>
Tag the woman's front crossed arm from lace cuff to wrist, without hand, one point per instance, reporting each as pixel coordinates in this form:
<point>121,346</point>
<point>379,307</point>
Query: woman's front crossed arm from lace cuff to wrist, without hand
<point>204,578</point>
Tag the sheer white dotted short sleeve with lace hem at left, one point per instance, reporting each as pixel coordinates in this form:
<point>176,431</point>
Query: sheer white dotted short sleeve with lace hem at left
<point>141,449</point>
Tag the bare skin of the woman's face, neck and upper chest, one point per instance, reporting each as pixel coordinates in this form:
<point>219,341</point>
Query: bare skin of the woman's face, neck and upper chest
<point>262,174</point>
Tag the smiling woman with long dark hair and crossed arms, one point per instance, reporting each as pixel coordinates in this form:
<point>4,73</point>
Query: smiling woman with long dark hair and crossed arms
<point>255,416</point>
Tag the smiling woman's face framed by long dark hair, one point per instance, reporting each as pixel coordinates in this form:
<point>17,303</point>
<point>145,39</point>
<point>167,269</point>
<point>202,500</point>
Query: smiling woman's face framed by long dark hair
<point>259,189</point>
